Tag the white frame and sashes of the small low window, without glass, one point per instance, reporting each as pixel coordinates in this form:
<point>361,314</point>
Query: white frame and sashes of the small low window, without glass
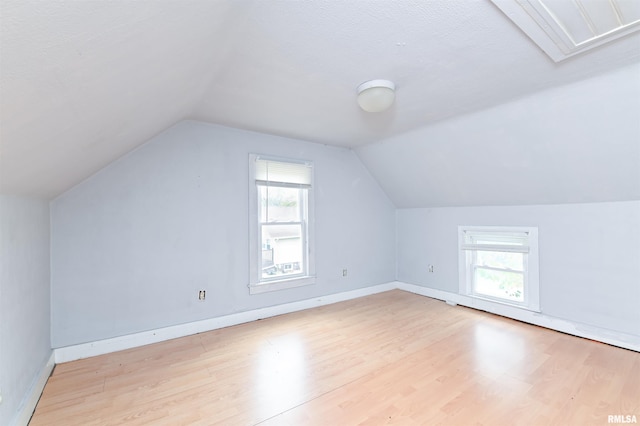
<point>467,255</point>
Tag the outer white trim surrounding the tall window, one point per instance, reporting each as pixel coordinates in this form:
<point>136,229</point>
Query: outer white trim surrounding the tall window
<point>256,286</point>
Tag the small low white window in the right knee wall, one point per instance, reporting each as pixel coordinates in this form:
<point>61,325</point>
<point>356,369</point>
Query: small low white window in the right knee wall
<point>500,264</point>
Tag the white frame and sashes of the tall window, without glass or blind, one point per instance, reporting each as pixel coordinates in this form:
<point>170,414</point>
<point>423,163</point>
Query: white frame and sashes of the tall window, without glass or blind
<point>257,284</point>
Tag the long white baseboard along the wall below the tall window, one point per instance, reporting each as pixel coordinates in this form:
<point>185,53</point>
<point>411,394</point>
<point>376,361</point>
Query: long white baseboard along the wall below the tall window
<point>100,347</point>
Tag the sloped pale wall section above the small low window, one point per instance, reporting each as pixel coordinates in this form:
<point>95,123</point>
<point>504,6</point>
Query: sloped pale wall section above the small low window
<point>572,144</point>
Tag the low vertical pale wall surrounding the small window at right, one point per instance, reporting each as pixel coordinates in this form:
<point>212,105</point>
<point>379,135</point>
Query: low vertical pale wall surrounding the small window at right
<point>589,256</point>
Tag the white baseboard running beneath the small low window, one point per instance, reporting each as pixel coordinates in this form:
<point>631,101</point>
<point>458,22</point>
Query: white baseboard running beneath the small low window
<point>610,337</point>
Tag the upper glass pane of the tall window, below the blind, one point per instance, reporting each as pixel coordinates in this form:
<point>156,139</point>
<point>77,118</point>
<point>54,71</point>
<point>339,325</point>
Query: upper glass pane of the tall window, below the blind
<point>279,204</point>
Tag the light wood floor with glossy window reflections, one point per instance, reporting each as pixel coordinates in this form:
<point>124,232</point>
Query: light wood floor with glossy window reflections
<point>391,358</point>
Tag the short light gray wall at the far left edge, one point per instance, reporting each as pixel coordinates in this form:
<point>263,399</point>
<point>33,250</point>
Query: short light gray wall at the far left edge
<point>24,299</point>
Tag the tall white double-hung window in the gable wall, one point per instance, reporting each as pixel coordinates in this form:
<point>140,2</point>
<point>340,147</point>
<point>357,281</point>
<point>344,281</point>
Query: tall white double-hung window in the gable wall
<point>281,200</point>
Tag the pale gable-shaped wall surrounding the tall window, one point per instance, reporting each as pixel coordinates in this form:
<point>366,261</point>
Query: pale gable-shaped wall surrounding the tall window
<point>132,245</point>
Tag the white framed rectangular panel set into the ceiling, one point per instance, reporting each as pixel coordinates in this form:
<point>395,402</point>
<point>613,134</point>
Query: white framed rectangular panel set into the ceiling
<point>563,28</point>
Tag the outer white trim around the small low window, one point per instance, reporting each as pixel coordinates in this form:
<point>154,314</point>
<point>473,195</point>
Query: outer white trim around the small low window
<point>532,284</point>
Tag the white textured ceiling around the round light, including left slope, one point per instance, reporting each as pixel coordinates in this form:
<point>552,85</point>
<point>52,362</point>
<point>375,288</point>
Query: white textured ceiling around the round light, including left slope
<point>83,82</point>
